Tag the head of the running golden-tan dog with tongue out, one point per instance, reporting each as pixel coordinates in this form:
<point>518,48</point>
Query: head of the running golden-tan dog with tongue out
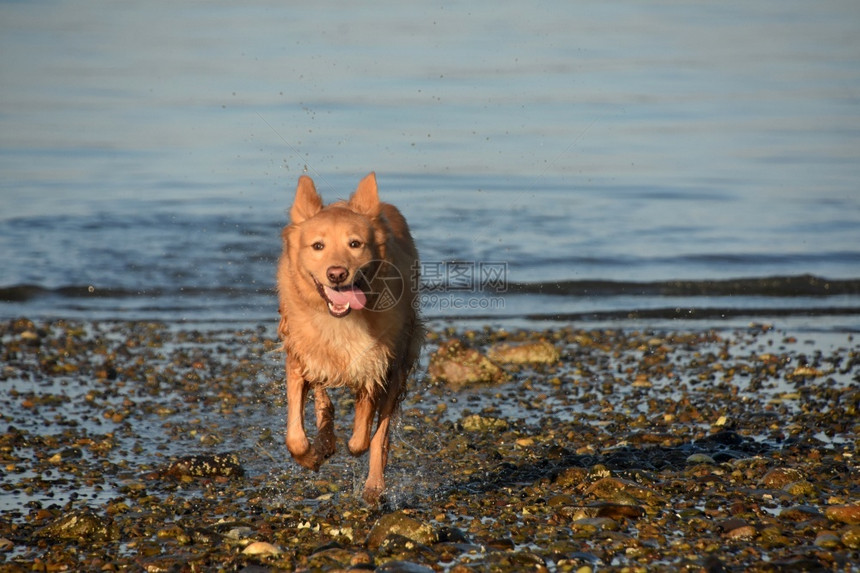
<point>332,247</point>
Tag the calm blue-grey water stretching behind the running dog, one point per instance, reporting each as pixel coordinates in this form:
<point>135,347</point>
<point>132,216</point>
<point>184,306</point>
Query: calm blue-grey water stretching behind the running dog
<point>148,152</point>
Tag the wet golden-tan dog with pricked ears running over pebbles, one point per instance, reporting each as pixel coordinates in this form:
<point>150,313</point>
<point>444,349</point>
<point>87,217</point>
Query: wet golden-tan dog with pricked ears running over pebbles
<point>348,319</point>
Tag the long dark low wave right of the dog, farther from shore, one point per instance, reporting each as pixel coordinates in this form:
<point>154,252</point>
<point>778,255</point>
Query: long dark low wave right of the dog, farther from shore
<point>778,286</point>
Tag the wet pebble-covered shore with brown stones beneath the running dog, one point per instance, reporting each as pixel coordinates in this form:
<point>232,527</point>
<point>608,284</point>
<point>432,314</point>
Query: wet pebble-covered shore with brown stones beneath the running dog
<point>156,447</point>
